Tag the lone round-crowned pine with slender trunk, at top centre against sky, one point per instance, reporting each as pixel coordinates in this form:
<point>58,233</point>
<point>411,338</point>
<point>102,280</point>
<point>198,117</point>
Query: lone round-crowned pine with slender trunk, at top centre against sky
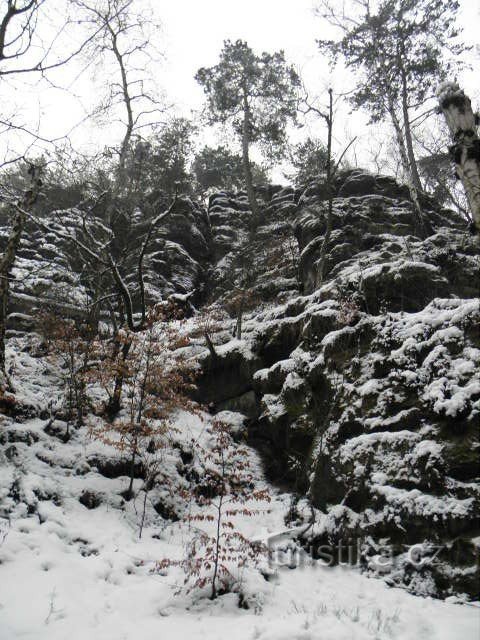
<point>257,94</point>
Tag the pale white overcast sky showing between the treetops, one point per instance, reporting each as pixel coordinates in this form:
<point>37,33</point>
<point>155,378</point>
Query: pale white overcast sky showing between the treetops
<point>192,35</point>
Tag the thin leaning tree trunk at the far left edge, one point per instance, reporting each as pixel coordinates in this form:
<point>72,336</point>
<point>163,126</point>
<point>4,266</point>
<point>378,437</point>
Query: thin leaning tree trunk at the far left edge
<point>8,259</point>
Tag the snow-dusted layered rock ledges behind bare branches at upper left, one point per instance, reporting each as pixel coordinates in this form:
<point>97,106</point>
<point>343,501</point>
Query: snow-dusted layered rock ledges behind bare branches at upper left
<point>49,272</point>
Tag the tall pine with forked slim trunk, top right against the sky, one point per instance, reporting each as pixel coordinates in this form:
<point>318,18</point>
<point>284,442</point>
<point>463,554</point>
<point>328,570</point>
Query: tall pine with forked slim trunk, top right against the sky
<point>398,52</point>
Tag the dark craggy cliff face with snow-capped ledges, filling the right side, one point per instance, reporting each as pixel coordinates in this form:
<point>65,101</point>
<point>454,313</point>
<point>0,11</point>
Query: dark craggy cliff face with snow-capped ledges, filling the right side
<point>361,391</point>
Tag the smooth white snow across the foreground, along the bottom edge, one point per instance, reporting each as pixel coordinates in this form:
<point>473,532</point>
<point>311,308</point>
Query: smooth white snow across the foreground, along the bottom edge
<point>85,575</point>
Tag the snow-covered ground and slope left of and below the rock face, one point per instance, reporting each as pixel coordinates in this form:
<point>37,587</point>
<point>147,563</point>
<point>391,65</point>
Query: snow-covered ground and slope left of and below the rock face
<point>68,572</point>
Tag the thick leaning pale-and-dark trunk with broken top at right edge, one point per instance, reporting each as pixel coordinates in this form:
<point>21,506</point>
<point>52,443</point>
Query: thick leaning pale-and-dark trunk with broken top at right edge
<point>465,151</point>
